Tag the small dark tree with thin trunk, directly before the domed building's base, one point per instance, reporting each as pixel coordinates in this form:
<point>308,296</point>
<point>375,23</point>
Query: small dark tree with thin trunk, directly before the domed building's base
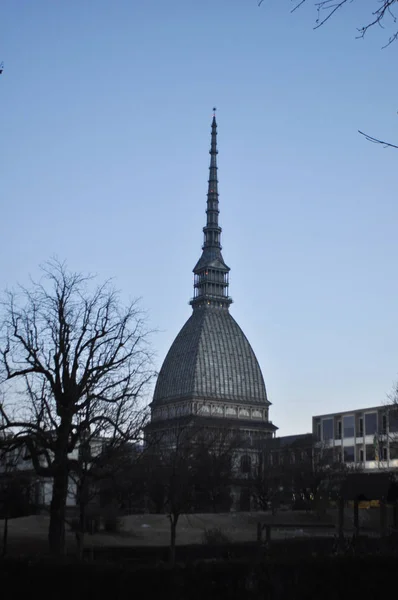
<point>191,457</point>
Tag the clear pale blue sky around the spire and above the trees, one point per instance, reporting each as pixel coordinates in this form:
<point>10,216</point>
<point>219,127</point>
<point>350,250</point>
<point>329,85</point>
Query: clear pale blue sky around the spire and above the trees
<point>105,132</point>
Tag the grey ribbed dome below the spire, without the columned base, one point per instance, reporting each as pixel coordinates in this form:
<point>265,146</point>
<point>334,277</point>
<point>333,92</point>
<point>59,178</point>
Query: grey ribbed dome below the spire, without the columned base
<point>211,359</point>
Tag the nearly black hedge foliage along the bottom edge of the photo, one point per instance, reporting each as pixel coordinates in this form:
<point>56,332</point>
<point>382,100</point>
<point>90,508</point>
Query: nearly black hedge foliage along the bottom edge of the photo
<point>333,578</point>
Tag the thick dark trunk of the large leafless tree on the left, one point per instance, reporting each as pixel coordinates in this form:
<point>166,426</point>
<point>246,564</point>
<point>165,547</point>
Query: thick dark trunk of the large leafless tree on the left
<point>56,534</point>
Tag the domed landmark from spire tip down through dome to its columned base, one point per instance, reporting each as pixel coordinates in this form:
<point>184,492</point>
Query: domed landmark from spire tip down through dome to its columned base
<point>211,373</point>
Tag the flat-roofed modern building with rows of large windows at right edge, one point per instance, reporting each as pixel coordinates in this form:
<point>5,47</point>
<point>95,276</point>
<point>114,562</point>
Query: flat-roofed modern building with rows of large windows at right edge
<point>367,437</point>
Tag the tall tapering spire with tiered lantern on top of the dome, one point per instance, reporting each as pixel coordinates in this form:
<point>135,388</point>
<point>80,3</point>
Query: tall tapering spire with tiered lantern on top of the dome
<point>211,272</point>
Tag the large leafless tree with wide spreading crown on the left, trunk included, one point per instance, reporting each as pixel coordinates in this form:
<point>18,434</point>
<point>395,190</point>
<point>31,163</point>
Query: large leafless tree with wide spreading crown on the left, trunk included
<point>80,362</point>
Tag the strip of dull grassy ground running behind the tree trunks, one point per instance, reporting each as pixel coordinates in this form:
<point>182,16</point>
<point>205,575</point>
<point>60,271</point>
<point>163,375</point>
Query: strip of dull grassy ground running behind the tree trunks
<point>29,534</point>
